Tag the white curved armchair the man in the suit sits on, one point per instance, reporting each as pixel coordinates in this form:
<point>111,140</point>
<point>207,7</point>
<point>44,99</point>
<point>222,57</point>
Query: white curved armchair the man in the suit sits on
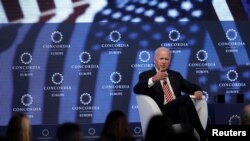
<point>148,108</point>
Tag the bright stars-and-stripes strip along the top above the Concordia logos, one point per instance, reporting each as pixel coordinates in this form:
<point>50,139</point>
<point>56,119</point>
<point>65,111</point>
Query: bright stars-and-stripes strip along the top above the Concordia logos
<point>56,11</point>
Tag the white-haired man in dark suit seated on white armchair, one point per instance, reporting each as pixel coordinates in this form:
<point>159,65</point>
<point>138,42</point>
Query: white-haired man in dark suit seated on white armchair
<point>165,87</point>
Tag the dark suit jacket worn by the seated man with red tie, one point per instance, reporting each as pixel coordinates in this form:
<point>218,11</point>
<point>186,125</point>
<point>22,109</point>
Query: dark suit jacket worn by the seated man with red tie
<point>178,84</point>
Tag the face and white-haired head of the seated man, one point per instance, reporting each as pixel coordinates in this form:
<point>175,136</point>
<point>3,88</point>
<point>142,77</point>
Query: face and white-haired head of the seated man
<point>162,60</point>
